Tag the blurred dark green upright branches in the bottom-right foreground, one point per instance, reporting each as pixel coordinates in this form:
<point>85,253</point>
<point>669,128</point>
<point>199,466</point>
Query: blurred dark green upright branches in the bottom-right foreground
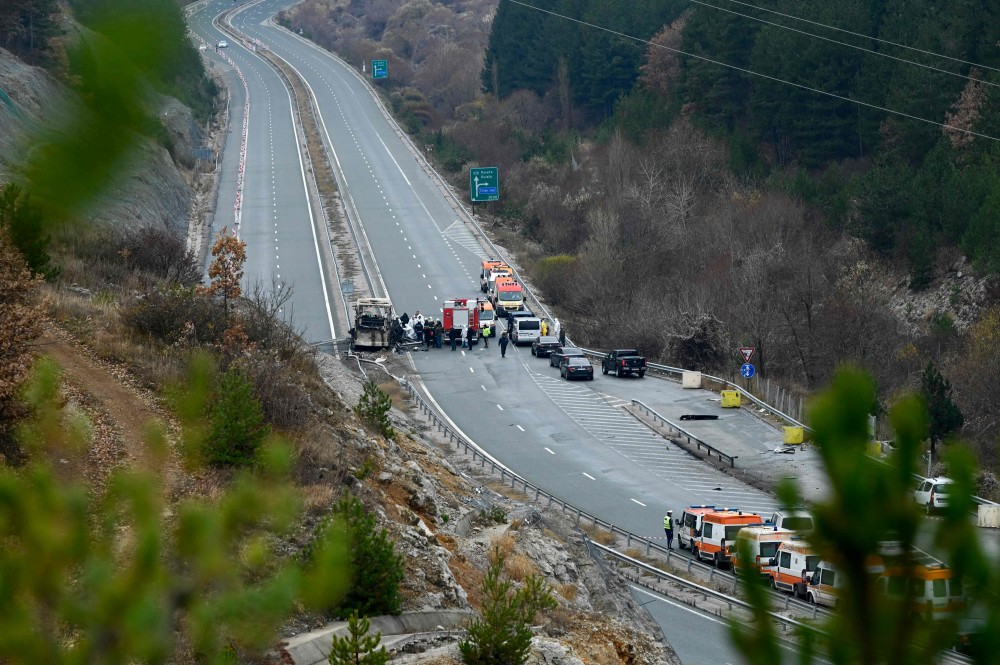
<point>872,502</point>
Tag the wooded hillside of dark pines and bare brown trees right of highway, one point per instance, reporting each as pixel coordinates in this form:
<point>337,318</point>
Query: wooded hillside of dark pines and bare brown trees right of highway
<point>663,200</point>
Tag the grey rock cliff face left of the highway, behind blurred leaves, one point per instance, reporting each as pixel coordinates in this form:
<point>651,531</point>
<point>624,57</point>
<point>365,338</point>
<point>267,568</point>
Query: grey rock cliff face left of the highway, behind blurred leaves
<point>157,189</point>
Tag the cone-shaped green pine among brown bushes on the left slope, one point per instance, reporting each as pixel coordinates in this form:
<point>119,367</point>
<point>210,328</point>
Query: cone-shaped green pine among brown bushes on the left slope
<point>237,422</point>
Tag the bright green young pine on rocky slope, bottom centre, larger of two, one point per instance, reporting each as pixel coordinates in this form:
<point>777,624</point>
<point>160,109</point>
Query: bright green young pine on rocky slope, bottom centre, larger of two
<point>503,634</point>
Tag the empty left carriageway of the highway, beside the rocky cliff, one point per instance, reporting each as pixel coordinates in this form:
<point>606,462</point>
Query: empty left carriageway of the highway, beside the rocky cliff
<point>275,218</point>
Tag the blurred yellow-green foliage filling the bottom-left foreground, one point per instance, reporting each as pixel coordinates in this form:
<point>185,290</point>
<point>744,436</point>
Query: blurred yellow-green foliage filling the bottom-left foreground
<point>111,576</point>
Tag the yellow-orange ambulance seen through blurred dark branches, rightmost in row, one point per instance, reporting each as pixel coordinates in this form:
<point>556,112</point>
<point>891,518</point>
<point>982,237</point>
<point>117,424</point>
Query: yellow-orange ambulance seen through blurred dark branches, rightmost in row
<point>936,593</point>
